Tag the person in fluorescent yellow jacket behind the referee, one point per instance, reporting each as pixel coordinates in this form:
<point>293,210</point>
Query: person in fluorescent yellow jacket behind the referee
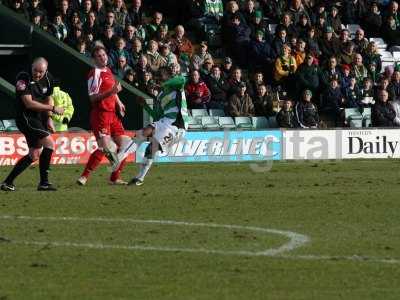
<point>62,99</point>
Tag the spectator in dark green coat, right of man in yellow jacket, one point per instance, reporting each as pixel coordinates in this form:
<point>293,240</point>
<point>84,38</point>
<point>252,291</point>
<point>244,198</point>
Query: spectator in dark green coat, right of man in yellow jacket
<point>308,75</point>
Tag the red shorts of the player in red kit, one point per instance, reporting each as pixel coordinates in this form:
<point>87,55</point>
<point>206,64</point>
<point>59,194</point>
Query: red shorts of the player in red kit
<point>106,123</point>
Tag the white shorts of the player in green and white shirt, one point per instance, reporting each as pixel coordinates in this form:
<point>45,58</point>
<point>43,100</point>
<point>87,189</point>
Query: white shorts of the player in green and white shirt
<point>166,134</point>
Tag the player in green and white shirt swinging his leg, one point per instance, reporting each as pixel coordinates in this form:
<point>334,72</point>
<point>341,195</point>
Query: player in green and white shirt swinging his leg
<point>170,116</point>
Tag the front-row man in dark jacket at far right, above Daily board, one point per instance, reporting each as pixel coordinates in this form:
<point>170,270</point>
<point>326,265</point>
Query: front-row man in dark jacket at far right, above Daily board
<point>383,114</point>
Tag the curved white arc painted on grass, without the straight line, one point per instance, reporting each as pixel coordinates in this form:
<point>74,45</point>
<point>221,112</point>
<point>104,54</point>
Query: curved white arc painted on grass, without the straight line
<point>296,240</point>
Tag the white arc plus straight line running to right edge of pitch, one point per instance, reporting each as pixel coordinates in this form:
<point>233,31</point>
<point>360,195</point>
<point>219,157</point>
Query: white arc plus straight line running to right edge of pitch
<point>296,240</point>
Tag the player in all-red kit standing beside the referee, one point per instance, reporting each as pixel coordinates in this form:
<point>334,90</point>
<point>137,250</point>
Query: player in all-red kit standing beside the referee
<point>107,127</point>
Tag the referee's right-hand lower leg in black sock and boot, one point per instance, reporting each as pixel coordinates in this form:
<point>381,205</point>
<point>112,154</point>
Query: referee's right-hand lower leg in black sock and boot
<point>44,164</point>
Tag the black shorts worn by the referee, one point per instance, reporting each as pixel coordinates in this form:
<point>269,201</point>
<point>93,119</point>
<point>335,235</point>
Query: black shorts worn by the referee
<point>33,129</point>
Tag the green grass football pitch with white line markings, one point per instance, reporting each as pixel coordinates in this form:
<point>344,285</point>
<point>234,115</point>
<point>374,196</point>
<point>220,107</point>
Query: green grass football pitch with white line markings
<point>315,230</point>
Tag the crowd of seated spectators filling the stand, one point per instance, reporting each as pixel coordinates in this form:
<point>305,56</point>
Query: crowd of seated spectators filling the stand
<point>304,70</point>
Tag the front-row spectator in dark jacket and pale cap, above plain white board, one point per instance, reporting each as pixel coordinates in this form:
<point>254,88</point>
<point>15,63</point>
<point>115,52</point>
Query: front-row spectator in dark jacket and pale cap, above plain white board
<point>306,112</point>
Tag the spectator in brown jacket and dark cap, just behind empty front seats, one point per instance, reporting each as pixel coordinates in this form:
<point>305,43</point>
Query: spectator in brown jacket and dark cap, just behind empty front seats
<point>240,103</point>
